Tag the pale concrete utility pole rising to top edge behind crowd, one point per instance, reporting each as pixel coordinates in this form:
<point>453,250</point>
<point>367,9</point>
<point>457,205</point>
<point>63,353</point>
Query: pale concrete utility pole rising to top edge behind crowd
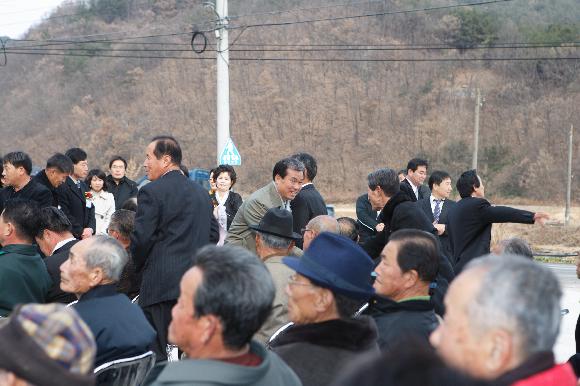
<point>223,77</point>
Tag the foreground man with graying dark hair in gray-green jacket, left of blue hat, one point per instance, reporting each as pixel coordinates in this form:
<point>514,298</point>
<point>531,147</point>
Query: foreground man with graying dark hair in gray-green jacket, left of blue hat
<point>224,300</point>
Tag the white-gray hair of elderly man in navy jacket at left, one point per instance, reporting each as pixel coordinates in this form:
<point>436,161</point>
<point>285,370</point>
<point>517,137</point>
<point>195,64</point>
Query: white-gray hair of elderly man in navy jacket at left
<point>106,253</point>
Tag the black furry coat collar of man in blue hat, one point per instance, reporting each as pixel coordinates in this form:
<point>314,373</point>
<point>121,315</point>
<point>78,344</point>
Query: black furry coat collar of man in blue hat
<point>349,334</point>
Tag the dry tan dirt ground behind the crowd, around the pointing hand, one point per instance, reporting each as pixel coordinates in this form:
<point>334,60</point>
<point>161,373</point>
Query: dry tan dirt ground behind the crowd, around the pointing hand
<point>553,237</point>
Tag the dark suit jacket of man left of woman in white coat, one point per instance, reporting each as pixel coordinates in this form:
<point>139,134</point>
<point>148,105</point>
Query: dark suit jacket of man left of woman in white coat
<point>73,203</point>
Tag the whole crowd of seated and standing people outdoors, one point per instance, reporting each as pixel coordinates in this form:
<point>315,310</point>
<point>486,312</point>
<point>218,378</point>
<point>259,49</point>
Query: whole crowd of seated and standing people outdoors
<point>270,290</point>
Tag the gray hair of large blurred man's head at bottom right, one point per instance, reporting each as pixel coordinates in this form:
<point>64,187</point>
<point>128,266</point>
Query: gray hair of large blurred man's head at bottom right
<point>520,296</point>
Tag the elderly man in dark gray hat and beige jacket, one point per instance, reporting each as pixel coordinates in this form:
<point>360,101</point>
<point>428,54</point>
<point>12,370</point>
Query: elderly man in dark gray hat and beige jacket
<point>274,240</point>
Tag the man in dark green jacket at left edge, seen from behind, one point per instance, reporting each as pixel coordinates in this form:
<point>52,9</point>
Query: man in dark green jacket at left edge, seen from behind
<point>23,275</point>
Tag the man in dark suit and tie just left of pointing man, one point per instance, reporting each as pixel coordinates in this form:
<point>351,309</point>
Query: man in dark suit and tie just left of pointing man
<point>437,206</point>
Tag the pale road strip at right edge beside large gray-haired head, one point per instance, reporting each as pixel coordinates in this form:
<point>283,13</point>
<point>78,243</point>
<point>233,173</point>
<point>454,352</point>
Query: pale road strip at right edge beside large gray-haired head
<point>565,345</point>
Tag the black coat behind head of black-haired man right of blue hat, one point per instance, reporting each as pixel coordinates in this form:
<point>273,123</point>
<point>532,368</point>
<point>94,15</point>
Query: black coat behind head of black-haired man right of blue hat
<point>402,213</point>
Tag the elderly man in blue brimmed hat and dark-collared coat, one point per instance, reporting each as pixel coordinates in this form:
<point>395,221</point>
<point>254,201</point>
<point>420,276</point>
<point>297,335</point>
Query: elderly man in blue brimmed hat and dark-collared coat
<point>331,282</point>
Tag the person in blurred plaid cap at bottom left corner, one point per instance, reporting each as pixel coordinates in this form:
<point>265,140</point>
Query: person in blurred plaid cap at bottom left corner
<point>46,344</point>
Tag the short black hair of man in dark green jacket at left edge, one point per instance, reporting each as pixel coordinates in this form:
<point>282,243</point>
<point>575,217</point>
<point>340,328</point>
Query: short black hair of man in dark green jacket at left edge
<point>23,215</point>
